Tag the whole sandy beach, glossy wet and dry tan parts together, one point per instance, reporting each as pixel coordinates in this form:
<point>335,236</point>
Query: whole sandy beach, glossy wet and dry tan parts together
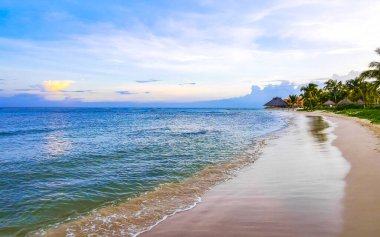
<point>305,184</point>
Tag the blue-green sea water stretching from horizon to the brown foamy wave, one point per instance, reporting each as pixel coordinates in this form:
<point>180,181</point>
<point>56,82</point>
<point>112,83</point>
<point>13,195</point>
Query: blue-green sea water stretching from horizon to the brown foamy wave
<point>56,164</point>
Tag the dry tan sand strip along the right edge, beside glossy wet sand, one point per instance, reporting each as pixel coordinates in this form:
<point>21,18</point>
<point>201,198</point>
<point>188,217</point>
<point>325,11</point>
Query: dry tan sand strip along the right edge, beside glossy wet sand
<point>359,142</point>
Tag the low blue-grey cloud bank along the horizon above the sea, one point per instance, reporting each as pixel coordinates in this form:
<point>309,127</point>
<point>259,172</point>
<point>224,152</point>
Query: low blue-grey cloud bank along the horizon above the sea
<point>255,99</point>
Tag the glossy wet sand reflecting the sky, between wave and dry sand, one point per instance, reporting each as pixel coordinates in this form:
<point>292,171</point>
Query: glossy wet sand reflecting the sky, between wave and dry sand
<point>296,188</point>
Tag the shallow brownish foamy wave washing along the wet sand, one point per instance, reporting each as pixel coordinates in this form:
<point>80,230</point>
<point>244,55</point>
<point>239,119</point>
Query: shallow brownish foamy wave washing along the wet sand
<point>140,214</point>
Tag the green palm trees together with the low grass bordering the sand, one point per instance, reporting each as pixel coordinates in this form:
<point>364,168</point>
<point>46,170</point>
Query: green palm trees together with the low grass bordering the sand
<point>358,97</point>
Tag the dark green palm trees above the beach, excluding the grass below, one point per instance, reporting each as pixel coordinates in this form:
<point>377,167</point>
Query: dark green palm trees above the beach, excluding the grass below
<point>362,91</point>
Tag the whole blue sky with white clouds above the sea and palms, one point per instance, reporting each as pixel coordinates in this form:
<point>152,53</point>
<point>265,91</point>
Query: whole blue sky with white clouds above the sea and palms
<point>178,51</point>
